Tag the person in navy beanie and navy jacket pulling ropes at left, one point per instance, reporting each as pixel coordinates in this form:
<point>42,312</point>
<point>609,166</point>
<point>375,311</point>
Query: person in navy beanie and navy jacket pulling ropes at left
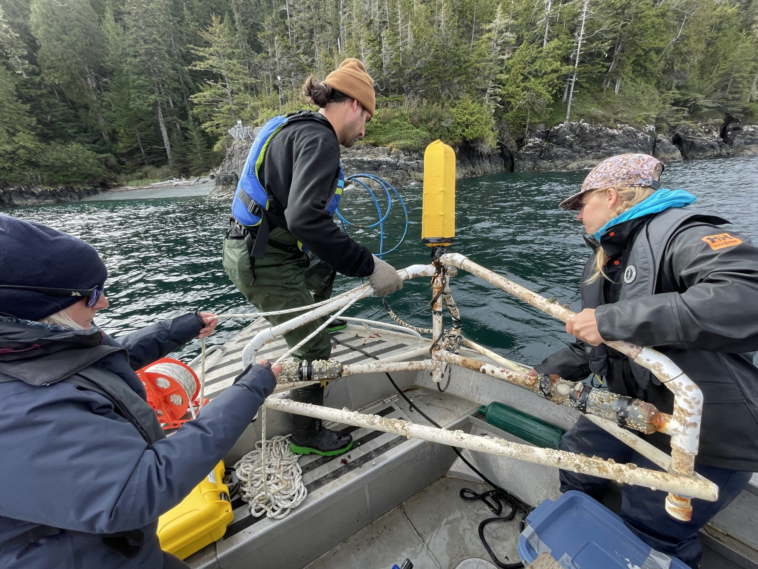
<point>86,468</point>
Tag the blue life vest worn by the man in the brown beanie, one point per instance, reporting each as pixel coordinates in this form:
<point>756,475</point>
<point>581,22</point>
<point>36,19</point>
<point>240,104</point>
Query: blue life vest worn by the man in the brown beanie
<point>250,206</point>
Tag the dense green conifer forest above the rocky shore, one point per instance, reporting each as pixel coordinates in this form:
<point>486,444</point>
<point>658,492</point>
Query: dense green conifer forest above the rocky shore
<point>100,91</point>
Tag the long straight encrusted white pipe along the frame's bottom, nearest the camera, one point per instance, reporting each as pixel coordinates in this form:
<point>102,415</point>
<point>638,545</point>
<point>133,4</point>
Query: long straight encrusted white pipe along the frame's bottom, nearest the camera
<point>623,473</point>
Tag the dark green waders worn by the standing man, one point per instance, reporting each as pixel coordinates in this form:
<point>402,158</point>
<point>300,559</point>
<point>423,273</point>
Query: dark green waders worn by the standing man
<point>287,278</point>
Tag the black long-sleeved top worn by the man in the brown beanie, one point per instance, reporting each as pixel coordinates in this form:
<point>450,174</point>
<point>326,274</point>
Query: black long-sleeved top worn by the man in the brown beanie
<point>301,169</point>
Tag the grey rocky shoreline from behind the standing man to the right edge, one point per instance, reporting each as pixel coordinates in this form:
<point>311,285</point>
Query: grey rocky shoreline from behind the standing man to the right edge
<point>571,146</point>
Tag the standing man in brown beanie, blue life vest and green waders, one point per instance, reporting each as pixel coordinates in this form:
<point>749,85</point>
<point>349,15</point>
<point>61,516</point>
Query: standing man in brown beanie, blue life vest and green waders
<point>283,249</point>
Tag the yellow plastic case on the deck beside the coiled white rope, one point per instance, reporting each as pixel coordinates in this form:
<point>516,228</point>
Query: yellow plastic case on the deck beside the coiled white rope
<point>200,519</point>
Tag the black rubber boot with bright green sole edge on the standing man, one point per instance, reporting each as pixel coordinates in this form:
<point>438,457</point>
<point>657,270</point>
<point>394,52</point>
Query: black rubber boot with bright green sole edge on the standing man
<point>310,435</point>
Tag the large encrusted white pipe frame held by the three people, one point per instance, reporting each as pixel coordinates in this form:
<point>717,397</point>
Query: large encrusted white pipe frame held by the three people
<point>683,426</point>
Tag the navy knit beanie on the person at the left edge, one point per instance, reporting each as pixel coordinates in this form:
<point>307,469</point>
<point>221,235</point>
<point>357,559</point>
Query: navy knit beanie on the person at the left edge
<point>32,254</point>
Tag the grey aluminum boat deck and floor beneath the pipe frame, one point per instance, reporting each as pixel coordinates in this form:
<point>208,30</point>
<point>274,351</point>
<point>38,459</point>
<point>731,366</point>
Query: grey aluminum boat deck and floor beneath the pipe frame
<point>390,497</point>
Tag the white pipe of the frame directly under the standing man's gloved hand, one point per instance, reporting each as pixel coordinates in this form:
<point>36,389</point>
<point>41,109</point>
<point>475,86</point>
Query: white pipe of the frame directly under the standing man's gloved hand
<point>273,332</point>
